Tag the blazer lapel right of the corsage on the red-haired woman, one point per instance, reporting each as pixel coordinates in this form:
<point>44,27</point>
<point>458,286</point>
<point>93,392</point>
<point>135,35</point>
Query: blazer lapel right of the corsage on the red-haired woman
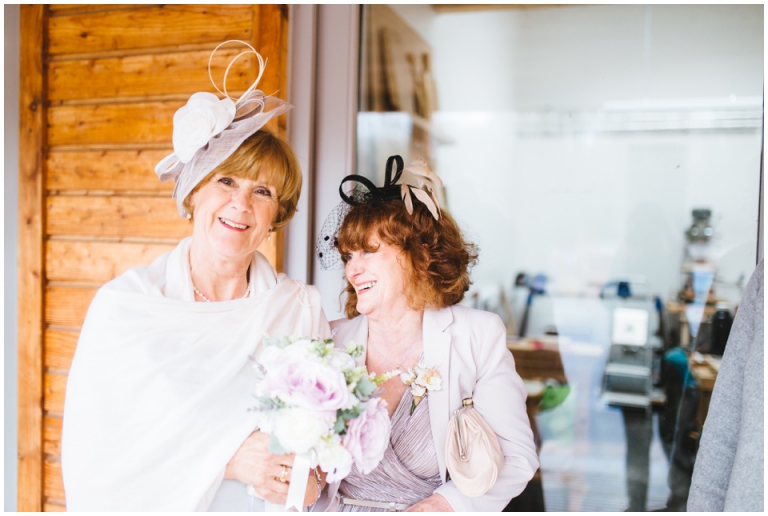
<point>437,353</point>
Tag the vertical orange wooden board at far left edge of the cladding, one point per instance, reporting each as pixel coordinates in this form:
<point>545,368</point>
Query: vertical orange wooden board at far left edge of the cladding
<point>31,260</point>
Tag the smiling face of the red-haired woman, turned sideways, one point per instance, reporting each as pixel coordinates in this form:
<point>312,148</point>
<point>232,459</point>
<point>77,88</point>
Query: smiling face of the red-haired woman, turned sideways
<point>378,277</point>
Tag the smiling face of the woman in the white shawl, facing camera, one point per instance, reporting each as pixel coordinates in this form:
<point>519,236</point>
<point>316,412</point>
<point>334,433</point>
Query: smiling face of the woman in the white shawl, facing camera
<point>233,215</point>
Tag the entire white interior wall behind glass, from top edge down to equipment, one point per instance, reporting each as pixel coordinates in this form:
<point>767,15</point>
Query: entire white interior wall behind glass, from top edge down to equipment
<point>545,173</point>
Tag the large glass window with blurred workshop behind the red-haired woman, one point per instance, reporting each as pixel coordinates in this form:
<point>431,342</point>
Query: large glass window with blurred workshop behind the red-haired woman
<point>606,160</point>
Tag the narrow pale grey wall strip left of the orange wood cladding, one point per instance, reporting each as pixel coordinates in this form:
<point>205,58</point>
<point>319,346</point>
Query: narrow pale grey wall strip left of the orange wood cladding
<point>11,20</point>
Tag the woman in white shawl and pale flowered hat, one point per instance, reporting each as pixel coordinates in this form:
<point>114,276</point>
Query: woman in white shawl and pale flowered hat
<point>157,413</point>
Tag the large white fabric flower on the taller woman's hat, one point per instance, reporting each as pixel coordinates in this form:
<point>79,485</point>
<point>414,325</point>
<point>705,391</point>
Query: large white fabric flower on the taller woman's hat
<point>204,116</point>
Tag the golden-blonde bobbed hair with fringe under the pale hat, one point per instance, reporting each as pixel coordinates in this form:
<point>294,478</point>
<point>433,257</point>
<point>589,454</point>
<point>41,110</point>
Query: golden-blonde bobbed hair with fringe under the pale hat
<point>266,157</point>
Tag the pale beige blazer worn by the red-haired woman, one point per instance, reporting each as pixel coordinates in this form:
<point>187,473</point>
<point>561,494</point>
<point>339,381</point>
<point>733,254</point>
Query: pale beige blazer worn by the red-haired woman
<point>468,347</point>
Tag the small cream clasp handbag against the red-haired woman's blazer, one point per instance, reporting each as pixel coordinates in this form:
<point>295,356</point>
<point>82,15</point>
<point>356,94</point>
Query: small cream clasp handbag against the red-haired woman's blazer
<point>472,452</point>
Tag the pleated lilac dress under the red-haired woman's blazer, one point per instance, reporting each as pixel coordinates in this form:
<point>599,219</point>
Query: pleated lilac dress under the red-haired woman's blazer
<point>408,473</point>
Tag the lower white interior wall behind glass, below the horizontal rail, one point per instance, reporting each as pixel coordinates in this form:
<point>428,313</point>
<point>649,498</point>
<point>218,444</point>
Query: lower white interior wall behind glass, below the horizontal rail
<point>585,208</point>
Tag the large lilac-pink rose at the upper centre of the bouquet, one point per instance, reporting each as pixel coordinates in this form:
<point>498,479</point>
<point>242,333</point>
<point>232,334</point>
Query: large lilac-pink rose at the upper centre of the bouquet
<point>307,384</point>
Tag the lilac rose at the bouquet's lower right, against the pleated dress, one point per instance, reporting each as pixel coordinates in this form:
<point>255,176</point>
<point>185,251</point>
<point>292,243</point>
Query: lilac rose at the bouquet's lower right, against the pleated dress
<point>367,436</point>
